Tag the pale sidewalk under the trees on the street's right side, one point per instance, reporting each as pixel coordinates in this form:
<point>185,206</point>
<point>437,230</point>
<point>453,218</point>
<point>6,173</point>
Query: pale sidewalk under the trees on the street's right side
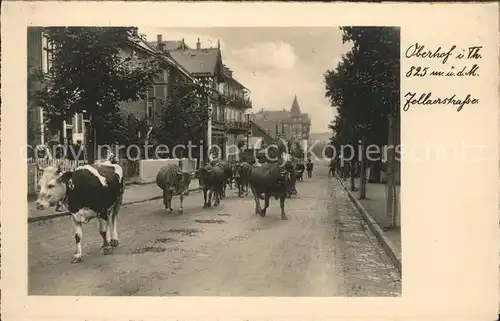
<point>375,206</point>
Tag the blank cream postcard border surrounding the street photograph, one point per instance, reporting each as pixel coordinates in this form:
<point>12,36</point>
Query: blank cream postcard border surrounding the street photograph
<point>441,294</point>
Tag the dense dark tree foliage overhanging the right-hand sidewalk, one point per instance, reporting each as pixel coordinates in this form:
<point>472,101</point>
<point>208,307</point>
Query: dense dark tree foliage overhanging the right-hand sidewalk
<point>364,86</point>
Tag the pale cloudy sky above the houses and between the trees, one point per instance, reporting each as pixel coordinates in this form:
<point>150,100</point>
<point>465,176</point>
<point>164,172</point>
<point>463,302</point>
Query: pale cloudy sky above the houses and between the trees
<point>274,63</point>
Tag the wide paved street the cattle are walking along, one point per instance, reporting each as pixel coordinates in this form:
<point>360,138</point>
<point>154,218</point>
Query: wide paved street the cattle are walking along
<point>324,249</point>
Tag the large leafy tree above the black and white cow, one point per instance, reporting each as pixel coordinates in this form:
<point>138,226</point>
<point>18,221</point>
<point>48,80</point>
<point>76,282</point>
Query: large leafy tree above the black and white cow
<point>90,73</point>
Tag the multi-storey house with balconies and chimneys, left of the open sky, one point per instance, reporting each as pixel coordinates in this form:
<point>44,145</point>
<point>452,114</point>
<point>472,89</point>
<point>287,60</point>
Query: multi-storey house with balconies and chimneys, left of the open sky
<point>229,98</point>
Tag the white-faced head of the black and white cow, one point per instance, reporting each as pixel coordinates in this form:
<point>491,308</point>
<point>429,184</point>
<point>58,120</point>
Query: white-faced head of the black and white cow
<point>53,186</point>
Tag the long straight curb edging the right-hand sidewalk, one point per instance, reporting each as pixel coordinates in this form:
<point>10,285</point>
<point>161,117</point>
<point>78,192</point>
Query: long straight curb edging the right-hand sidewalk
<point>386,243</point>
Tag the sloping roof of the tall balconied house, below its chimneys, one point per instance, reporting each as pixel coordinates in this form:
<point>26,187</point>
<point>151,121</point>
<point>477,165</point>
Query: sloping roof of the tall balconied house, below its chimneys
<point>201,62</point>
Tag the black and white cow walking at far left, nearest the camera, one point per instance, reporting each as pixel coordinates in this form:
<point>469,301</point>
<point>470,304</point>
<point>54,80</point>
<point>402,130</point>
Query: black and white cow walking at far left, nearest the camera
<point>88,192</point>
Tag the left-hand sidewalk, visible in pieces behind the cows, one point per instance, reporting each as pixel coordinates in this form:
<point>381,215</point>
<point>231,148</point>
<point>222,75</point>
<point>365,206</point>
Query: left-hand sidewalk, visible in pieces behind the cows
<point>134,193</point>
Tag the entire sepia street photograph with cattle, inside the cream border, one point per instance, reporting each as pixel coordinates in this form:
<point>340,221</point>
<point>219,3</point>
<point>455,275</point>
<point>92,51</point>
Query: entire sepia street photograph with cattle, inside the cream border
<point>243,161</point>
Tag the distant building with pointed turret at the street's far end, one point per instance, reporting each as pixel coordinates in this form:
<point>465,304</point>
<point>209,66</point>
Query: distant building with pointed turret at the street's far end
<point>291,124</point>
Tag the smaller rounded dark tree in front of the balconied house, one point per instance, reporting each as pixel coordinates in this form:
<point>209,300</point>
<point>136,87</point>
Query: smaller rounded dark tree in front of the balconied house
<point>183,116</point>
